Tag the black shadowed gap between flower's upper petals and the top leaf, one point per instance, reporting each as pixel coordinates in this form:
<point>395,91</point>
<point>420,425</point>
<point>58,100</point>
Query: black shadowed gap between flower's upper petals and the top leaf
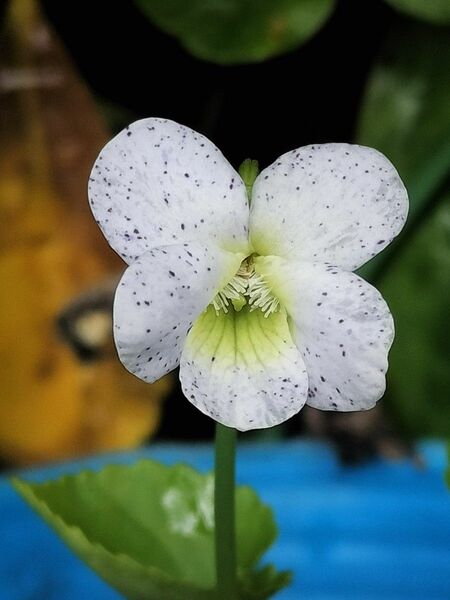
<point>260,111</point>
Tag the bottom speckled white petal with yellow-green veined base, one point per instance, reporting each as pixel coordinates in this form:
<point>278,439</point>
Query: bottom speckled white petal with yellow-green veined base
<point>243,369</point>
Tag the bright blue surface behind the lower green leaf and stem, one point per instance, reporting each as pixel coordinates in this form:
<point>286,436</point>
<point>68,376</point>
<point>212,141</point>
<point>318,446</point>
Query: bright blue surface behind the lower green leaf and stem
<point>381,531</point>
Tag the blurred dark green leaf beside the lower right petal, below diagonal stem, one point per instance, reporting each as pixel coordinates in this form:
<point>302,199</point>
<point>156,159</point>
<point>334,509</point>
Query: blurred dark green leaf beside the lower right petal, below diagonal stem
<point>417,287</point>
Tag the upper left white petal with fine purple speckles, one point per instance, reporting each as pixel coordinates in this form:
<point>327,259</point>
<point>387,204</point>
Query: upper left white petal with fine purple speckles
<point>160,183</point>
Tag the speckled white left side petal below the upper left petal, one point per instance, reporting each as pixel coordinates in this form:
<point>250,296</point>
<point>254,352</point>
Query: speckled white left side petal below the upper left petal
<point>159,297</point>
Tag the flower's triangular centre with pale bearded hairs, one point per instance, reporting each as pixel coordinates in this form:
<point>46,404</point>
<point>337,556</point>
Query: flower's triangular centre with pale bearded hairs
<point>247,287</point>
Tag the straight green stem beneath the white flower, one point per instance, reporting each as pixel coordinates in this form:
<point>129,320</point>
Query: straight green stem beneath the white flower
<point>224,509</point>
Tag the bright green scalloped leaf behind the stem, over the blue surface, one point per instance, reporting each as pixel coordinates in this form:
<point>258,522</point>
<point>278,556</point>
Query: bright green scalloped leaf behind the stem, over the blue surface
<point>148,529</point>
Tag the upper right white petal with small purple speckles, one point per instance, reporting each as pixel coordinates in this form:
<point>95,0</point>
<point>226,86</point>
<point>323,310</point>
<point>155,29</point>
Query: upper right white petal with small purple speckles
<point>336,203</point>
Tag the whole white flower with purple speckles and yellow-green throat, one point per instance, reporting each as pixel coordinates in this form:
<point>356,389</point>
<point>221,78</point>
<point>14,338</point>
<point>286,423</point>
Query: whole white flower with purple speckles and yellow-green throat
<point>257,304</point>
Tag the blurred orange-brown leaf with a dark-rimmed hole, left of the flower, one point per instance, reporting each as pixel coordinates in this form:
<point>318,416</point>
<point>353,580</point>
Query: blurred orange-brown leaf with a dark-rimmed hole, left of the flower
<point>53,404</point>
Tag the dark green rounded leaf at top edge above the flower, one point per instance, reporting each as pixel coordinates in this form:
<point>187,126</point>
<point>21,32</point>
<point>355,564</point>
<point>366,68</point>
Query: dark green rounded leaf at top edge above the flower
<point>238,31</point>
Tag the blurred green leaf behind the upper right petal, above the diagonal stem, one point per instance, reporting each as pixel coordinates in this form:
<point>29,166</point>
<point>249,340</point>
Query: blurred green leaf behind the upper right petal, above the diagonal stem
<point>405,116</point>
